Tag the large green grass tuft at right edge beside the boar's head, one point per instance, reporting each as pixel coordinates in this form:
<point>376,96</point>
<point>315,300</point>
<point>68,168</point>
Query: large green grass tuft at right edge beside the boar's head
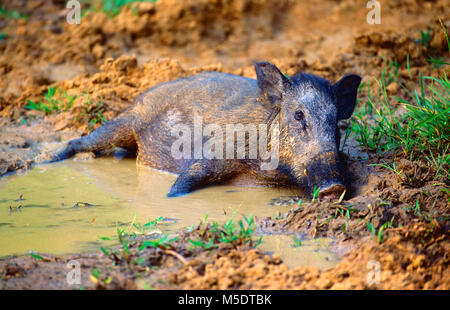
<point>417,128</point>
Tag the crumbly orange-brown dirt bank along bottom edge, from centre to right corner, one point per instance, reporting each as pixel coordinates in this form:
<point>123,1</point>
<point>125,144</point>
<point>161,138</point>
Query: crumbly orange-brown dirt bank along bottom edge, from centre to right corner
<point>403,265</point>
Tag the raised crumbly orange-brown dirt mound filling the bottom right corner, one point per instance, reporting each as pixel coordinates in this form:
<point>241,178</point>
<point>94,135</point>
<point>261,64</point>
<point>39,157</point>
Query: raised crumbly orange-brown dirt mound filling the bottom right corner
<point>412,257</point>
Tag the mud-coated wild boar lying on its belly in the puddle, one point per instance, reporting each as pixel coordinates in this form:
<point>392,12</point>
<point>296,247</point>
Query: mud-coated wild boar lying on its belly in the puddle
<point>297,114</point>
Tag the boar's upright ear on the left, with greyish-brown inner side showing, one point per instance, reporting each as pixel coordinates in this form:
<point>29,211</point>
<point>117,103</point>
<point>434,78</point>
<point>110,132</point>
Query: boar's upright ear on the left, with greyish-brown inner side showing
<point>271,83</point>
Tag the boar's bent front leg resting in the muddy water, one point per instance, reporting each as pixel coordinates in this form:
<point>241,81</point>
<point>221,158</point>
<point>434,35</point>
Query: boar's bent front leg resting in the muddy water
<point>202,173</point>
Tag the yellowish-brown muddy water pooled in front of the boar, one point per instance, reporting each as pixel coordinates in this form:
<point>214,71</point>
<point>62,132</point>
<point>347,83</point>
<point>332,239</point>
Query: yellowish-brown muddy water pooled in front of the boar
<point>65,207</point>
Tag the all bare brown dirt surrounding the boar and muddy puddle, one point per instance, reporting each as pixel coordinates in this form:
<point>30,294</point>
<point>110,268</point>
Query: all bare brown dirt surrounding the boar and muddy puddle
<point>105,62</point>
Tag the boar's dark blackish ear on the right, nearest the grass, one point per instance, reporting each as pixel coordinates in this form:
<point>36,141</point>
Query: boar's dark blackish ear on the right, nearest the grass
<point>345,91</point>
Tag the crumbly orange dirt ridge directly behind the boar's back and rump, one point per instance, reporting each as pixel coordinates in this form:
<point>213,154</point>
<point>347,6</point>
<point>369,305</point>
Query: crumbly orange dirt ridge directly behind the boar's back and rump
<point>111,90</point>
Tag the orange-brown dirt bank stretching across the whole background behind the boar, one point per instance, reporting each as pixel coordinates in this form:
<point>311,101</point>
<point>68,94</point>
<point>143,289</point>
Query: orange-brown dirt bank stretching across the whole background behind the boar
<point>43,49</point>
